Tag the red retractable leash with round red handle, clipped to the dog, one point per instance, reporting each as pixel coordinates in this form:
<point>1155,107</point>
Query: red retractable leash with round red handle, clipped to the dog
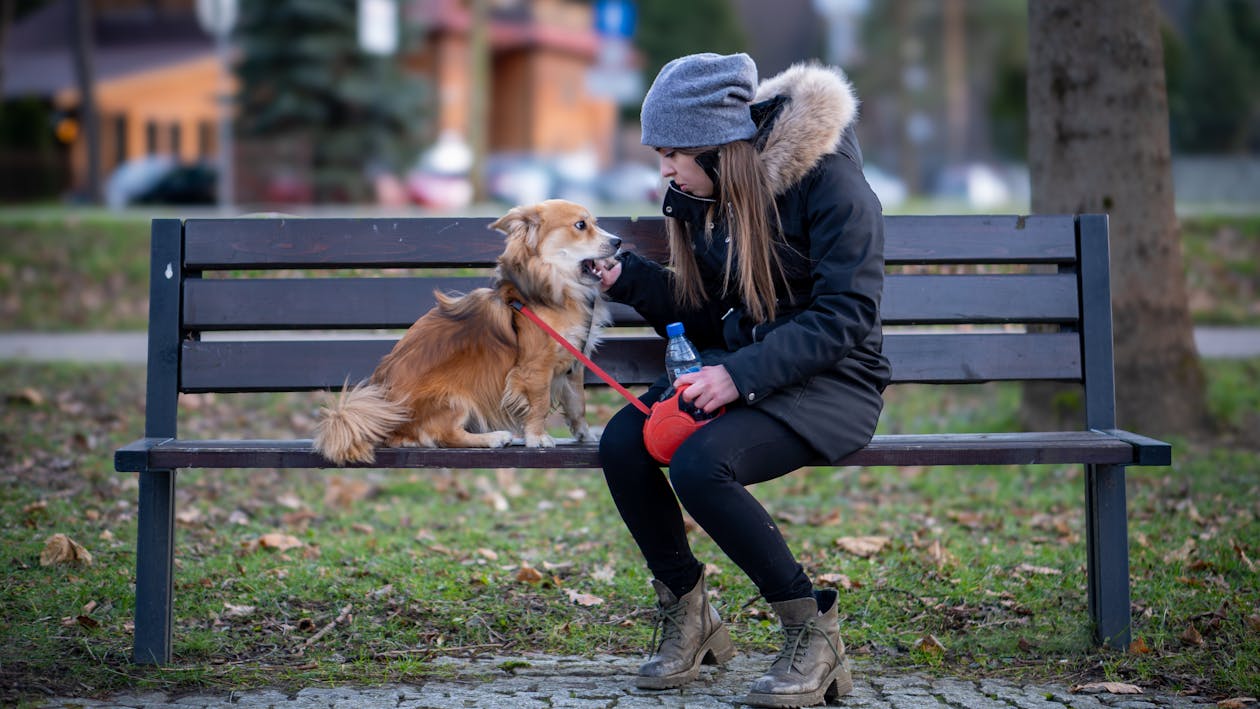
<point>670,421</point>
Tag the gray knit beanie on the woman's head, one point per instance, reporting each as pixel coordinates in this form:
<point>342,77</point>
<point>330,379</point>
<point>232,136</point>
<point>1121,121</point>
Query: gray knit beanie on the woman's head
<point>701,100</point>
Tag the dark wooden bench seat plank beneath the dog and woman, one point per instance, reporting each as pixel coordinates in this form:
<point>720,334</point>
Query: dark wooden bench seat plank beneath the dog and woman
<point>891,450</point>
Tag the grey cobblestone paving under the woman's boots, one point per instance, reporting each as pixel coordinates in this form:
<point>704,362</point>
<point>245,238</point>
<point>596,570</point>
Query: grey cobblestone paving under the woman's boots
<point>607,683</point>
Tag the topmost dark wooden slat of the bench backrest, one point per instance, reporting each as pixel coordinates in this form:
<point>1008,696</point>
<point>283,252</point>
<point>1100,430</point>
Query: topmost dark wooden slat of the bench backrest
<point>468,242</point>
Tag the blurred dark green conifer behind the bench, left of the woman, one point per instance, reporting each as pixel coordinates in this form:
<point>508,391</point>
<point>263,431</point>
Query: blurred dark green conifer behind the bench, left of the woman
<point>306,81</point>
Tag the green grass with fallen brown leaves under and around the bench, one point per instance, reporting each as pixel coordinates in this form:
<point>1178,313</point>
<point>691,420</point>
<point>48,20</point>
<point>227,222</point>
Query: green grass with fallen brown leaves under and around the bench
<point>404,567</point>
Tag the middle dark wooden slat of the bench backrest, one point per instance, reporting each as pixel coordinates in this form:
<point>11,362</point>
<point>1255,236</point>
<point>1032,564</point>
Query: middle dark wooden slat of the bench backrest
<point>302,304</point>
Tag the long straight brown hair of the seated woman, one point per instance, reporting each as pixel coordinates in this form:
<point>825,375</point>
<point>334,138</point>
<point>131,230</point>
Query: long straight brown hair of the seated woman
<point>748,206</point>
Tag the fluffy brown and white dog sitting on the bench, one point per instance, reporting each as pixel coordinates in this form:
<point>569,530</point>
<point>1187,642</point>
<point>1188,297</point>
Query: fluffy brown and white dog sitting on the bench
<point>473,372</point>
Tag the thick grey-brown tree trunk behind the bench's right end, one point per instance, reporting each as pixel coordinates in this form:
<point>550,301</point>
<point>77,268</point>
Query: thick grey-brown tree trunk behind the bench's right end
<point>1099,143</point>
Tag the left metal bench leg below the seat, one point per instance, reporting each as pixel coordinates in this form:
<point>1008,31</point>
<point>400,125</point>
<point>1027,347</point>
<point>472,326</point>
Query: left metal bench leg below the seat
<point>156,561</point>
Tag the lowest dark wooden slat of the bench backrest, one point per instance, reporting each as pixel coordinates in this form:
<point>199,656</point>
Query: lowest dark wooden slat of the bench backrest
<point>295,366</point>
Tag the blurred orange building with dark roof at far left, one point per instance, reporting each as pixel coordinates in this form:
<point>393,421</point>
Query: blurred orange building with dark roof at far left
<point>156,76</point>
